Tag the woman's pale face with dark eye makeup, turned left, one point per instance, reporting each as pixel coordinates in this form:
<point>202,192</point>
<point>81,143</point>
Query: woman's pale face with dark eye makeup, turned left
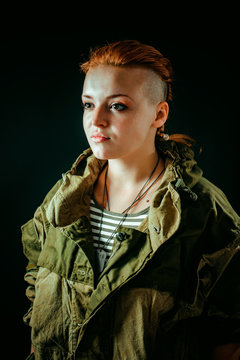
<point>119,119</point>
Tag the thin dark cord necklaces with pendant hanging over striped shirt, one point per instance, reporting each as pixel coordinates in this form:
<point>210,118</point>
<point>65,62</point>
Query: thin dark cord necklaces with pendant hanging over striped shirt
<point>102,254</point>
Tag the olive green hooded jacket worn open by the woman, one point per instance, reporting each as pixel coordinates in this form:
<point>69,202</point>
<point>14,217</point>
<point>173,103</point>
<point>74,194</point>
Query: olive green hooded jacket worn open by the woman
<point>170,290</point>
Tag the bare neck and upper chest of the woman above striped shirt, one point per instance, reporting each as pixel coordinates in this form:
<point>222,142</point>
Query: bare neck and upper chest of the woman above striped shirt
<point>122,179</point>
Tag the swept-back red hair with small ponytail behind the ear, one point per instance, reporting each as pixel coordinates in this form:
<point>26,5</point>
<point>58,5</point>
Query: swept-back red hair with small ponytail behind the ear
<point>130,53</point>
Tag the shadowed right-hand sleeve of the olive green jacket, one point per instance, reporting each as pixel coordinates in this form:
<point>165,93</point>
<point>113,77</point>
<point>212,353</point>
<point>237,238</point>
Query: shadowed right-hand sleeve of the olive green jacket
<point>219,272</point>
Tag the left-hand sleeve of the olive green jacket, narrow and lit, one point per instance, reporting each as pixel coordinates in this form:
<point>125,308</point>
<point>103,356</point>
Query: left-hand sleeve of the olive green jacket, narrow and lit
<point>33,237</point>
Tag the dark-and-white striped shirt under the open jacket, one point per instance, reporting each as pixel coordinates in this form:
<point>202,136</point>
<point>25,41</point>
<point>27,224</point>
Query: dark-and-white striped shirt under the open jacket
<point>104,224</point>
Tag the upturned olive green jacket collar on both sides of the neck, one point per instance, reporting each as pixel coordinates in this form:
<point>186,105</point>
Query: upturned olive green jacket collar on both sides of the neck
<point>72,199</point>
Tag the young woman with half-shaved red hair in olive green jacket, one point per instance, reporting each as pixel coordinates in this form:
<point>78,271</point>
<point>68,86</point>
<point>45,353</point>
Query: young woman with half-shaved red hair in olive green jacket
<point>133,254</point>
